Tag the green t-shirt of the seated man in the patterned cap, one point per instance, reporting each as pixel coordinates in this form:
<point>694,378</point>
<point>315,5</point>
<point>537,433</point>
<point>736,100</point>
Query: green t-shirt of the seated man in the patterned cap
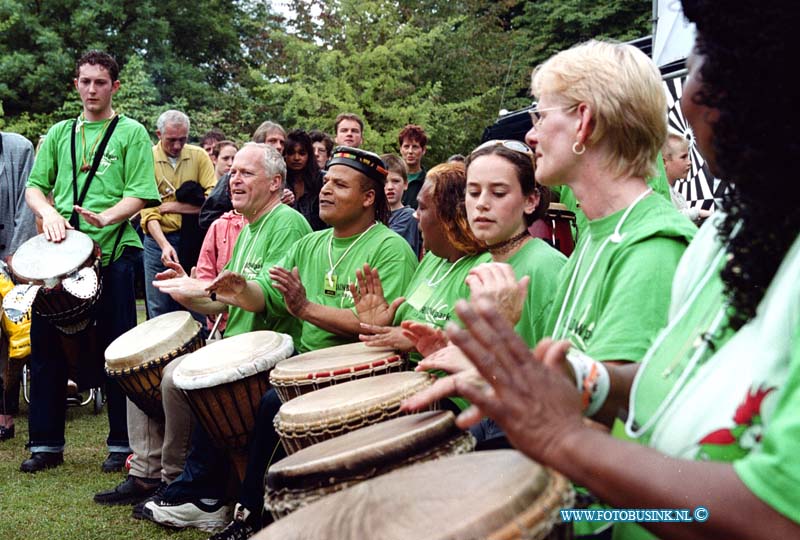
<point>313,254</point>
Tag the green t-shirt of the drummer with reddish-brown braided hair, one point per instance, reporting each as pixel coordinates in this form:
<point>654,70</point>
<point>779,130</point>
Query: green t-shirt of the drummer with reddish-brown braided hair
<point>434,289</point>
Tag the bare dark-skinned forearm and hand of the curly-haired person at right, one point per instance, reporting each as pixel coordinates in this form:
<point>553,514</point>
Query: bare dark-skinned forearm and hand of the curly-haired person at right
<point>549,428</point>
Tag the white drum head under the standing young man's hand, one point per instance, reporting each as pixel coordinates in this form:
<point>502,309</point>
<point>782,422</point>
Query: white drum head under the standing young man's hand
<point>39,260</point>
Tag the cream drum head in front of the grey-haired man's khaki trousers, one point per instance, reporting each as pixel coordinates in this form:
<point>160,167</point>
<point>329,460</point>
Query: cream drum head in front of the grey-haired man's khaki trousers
<point>151,340</point>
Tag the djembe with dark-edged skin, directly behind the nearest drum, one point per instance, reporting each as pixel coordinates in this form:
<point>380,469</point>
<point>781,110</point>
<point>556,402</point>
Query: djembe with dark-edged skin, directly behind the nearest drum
<point>333,465</point>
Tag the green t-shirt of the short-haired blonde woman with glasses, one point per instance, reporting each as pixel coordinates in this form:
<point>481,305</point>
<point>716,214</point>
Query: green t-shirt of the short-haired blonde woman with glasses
<point>613,296</point>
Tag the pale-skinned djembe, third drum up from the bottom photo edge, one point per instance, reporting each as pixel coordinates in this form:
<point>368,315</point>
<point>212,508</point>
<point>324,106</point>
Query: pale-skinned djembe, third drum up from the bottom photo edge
<point>336,410</point>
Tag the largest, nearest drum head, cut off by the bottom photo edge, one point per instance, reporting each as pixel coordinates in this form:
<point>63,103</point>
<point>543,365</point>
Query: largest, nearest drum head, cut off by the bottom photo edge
<point>467,496</point>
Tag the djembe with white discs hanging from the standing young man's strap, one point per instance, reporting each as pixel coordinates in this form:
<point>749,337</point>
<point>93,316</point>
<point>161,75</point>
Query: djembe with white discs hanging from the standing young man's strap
<point>61,281</point>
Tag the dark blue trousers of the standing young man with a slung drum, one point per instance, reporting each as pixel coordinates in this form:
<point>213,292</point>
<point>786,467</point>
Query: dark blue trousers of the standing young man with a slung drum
<point>115,315</point>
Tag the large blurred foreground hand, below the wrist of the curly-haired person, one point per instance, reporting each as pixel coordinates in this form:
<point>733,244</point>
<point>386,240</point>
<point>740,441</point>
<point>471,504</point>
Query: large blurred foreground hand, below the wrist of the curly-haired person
<point>525,393</point>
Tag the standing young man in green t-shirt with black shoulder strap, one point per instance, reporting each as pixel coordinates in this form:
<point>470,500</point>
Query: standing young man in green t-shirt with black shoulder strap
<point>118,180</point>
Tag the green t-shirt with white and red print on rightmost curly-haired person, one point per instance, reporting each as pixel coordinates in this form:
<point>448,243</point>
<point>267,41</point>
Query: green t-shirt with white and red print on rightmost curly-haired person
<point>748,386</point>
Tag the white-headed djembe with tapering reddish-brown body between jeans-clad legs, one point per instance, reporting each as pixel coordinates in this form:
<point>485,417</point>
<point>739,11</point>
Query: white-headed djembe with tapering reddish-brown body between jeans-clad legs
<point>224,382</point>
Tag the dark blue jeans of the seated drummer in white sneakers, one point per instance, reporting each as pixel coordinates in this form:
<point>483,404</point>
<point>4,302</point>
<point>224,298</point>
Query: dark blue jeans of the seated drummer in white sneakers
<point>207,471</point>
